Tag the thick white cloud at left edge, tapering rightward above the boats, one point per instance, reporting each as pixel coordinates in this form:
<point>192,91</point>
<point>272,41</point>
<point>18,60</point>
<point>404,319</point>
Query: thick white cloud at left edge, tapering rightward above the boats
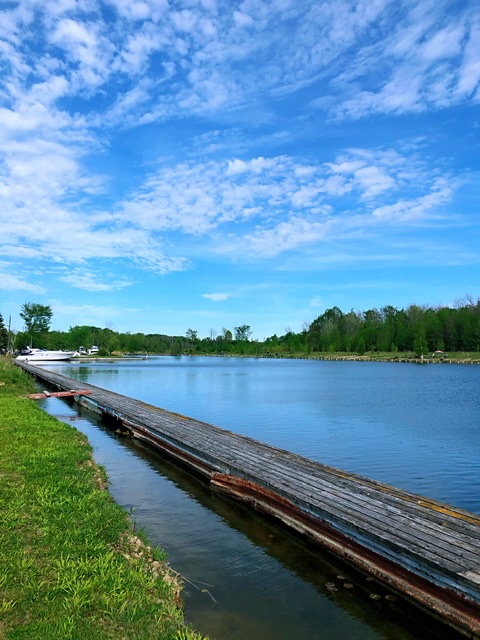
<point>42,214</point>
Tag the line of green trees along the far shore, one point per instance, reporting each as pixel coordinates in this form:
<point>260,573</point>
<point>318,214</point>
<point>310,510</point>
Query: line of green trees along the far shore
<point>415,329</point>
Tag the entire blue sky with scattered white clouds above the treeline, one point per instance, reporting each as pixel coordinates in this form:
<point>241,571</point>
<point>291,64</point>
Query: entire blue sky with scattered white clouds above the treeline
<point>210,163</point>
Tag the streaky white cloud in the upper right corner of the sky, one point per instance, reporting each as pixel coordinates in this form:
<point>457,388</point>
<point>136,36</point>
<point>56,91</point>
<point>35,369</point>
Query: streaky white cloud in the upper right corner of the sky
<point>423,66</point>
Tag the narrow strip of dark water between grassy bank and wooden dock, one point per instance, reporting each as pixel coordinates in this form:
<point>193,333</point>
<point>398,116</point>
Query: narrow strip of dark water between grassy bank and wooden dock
<point>252,578</point>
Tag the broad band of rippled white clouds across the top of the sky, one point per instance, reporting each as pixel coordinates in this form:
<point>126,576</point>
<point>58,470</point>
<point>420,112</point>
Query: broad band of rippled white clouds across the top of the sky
<point>215,63</point>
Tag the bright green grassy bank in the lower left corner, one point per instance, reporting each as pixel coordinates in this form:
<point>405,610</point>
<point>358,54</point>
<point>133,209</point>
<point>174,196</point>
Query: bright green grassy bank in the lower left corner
<point>71,565</point>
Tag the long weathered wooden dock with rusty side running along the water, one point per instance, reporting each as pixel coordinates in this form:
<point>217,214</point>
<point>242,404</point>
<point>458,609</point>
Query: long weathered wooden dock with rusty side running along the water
<point>424,549</point>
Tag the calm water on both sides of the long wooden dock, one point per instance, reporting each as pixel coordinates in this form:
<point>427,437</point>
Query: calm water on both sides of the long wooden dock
<point>416,427</point>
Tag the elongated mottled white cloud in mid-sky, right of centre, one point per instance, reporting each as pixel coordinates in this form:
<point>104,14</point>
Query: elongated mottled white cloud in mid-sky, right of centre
<point>291,203</point>
